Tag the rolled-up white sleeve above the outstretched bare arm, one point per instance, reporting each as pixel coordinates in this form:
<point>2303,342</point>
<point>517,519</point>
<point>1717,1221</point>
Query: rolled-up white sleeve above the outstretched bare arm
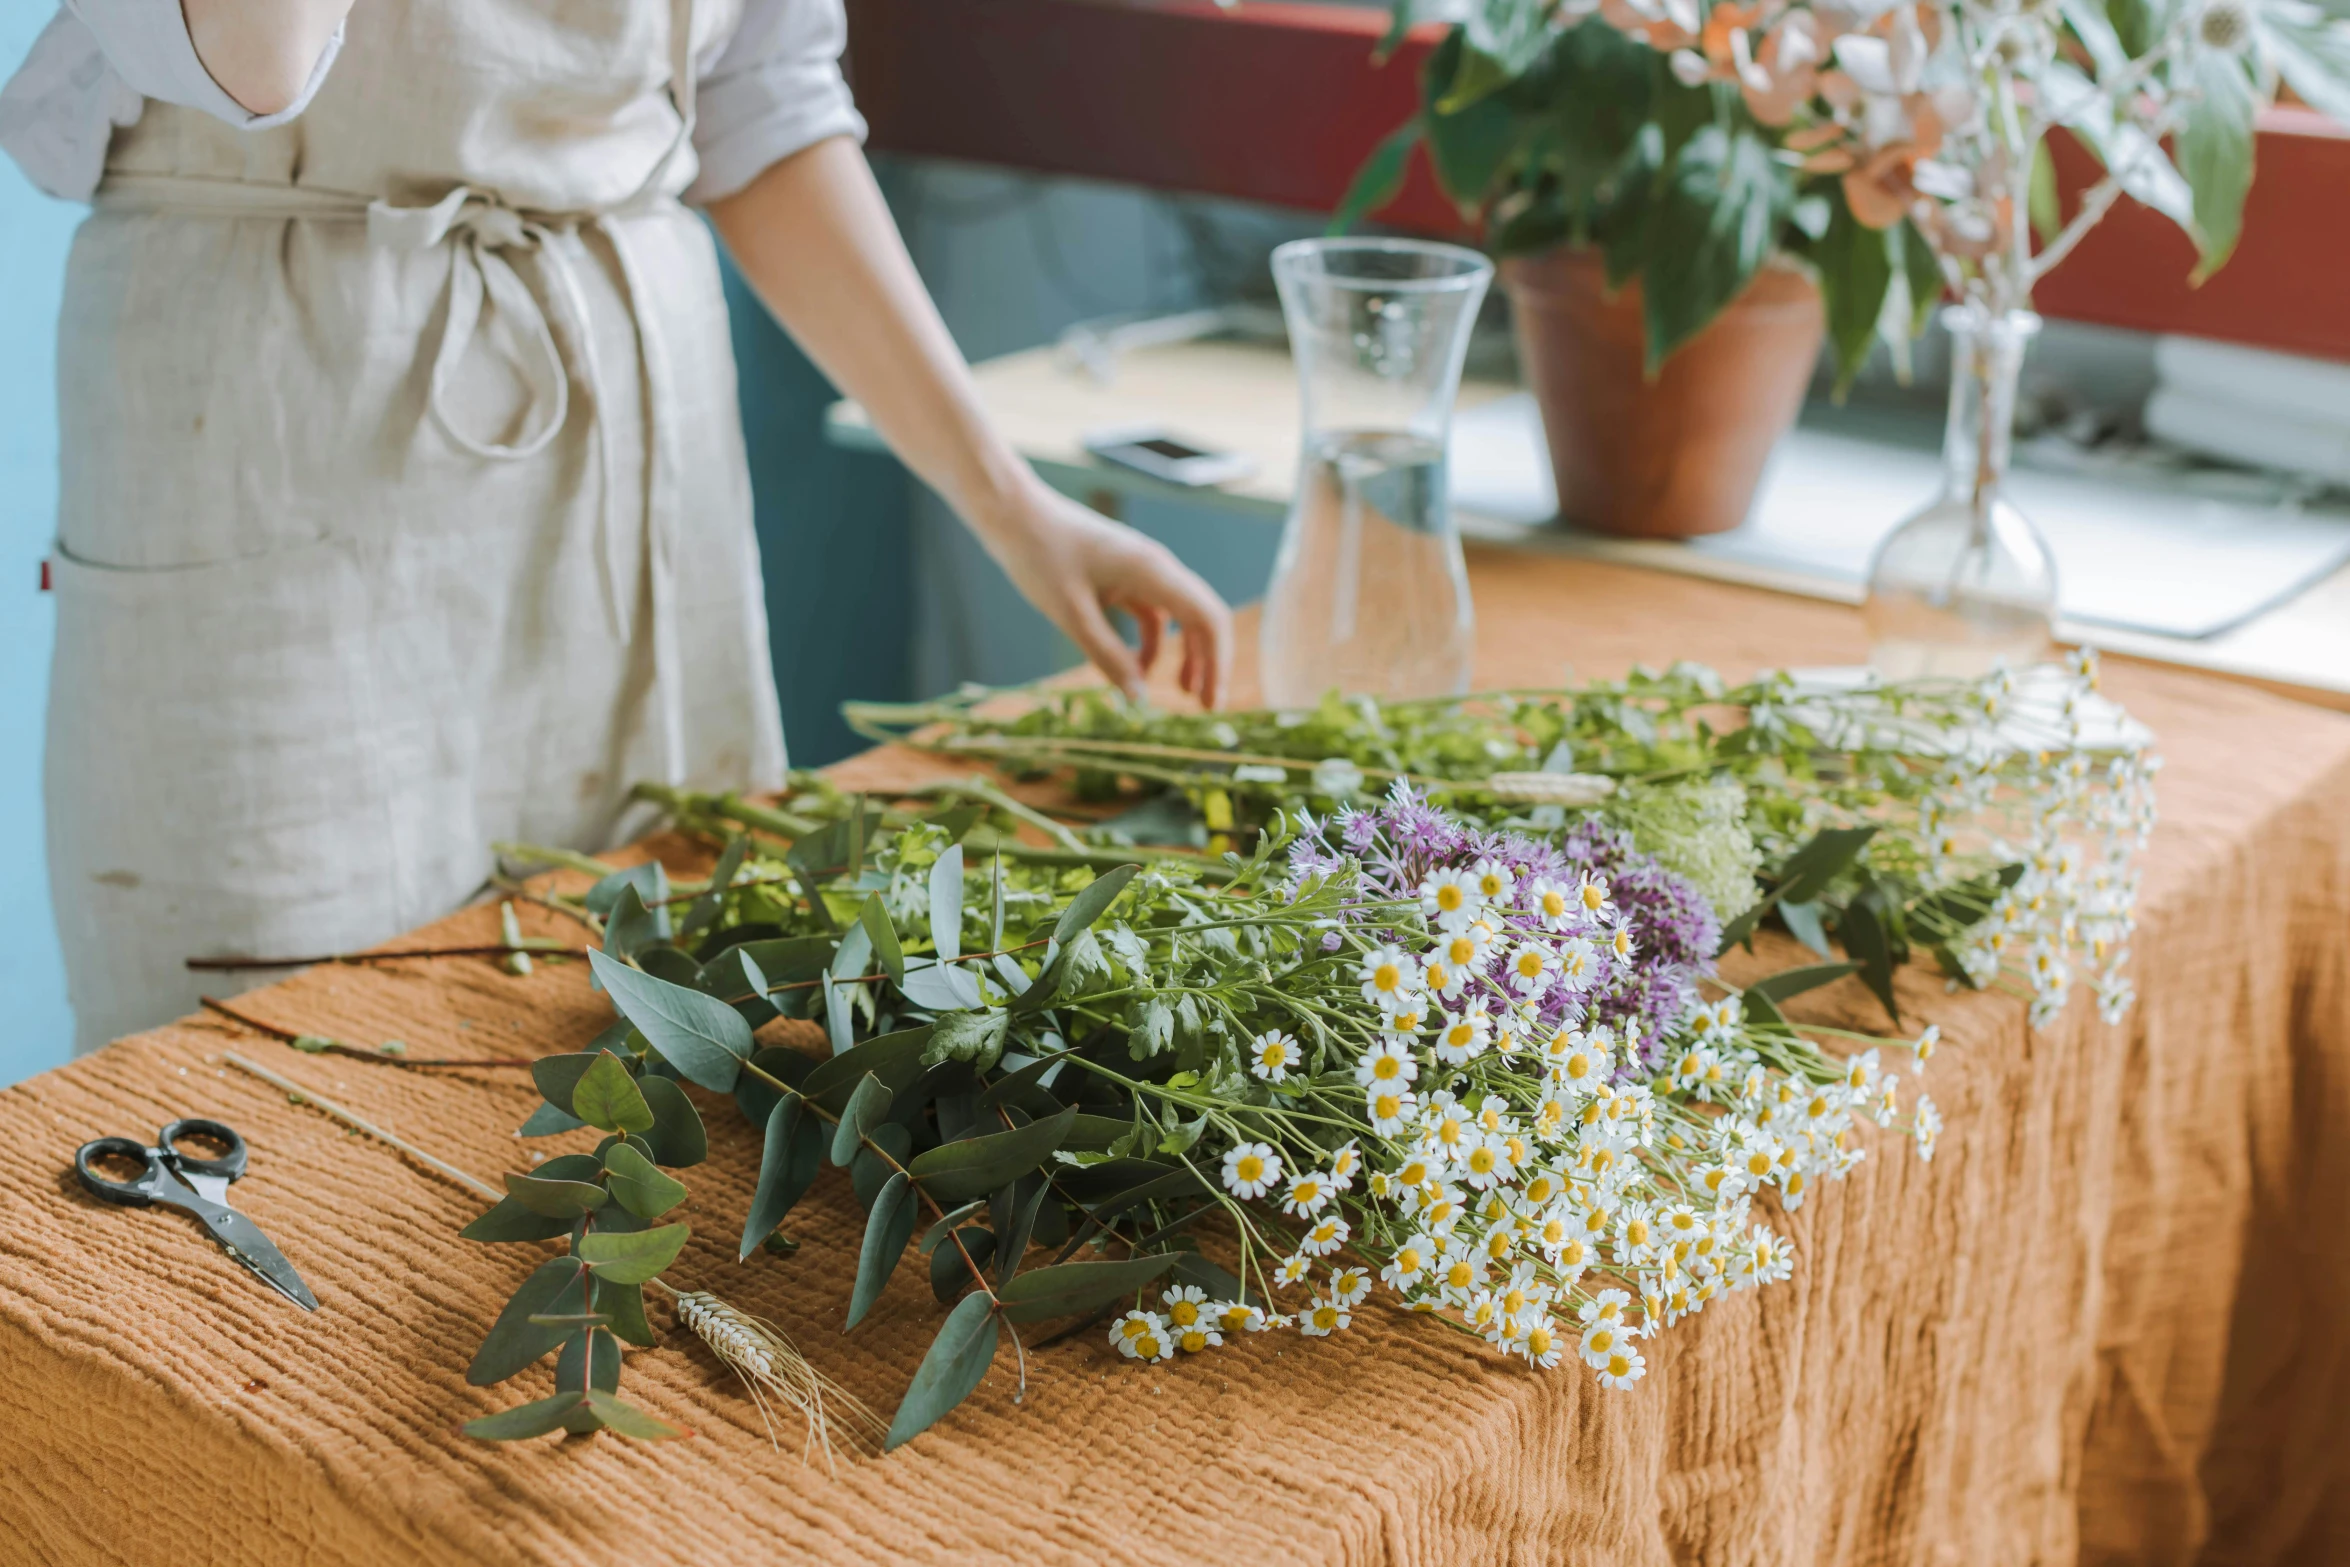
<point>774,90</point>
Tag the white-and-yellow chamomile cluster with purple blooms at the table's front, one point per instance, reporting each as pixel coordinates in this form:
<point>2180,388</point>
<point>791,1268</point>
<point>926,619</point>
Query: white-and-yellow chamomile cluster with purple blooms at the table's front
<point>1566,1145</point>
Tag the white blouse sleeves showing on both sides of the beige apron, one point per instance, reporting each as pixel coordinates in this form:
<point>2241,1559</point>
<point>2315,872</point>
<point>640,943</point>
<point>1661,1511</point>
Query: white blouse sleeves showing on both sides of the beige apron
<point>767,93</point>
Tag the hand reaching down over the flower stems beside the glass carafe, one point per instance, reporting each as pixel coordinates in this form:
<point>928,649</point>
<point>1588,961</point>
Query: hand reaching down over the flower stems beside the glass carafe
<point>1075,565</point>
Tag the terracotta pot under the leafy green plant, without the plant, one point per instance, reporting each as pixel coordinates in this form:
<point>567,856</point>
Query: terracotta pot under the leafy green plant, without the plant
<point>1679,455</point>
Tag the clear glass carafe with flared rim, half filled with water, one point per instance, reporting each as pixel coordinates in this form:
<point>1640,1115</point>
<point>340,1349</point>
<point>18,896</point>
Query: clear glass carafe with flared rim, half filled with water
<point>1369,593</point>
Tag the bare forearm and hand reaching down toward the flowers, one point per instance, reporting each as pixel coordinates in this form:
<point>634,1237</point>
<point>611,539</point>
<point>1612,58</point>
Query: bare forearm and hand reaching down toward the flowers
<point>819,246</point>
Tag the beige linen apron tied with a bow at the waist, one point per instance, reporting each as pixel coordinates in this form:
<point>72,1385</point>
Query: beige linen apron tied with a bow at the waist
<point>405,502</point>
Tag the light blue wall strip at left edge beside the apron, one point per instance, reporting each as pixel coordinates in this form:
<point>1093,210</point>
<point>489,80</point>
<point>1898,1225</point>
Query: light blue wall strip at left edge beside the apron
<point>36,1030</point>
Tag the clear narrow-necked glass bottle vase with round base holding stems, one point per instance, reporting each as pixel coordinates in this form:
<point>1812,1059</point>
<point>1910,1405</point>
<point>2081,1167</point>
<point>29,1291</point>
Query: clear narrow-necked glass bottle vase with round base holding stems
<point>1968,584</point>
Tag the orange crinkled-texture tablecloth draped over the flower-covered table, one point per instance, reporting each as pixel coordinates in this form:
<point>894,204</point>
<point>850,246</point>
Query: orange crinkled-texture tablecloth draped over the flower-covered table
<point>2107,1324</point>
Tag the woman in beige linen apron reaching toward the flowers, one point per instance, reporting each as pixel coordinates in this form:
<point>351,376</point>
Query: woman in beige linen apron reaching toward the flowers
<point>403,497</point>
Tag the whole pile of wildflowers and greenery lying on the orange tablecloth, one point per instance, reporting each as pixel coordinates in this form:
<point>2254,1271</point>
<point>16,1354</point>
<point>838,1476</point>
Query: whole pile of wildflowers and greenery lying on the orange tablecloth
<point>1456,1044</point>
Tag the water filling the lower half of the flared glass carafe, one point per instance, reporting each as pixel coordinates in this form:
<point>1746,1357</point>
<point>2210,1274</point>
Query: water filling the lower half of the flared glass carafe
<point>1371,593</point>
